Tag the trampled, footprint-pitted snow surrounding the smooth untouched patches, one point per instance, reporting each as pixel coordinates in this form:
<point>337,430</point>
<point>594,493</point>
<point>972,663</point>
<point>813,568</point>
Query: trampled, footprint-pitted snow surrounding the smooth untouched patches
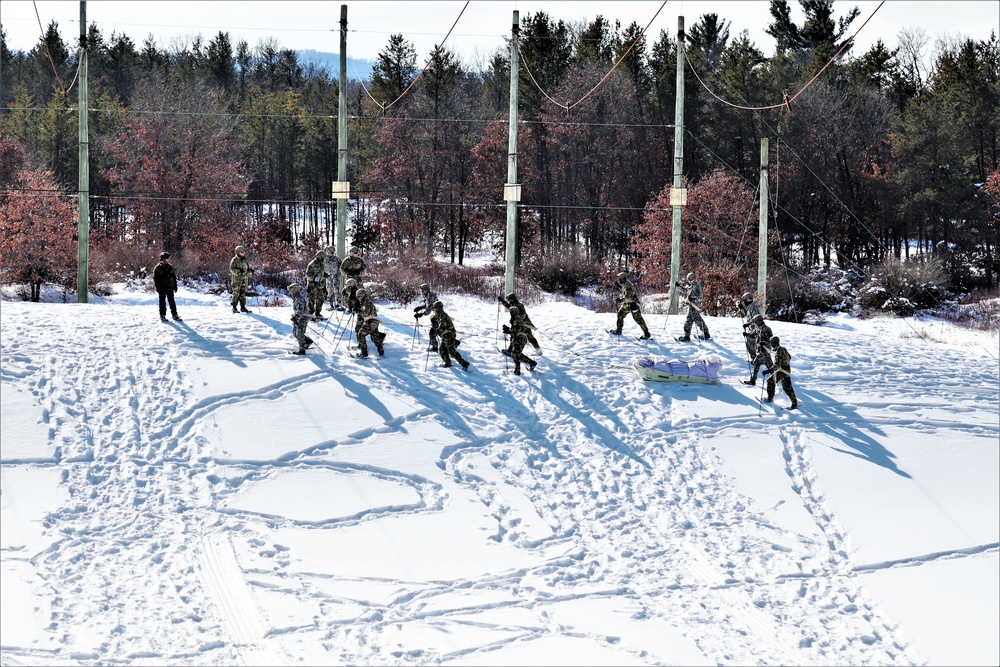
<point>633,500</point>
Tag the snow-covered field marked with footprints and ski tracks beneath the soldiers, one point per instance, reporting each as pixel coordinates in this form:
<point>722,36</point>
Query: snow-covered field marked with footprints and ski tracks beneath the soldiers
<point>190,493</point>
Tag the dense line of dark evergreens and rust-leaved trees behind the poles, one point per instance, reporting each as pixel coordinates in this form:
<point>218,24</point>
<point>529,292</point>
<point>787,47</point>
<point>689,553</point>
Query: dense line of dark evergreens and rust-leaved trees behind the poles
<point>887,154</point>
